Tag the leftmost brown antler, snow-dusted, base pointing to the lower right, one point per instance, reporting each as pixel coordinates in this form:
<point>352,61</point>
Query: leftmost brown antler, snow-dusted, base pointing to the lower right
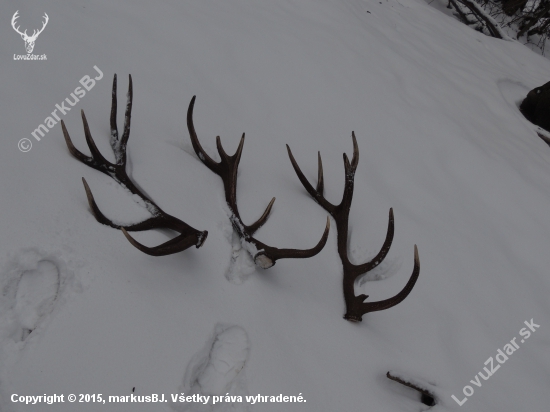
<point>160,219</point>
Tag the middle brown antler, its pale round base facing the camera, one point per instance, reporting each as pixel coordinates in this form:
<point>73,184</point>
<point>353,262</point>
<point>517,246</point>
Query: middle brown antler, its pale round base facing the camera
<point>264,256</point>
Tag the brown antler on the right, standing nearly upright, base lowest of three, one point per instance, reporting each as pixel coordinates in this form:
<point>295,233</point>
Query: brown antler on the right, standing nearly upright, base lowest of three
<point>356,306</point>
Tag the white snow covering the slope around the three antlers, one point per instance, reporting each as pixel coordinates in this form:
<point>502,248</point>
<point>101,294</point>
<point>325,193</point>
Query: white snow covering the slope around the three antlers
<point>434,107</point>
